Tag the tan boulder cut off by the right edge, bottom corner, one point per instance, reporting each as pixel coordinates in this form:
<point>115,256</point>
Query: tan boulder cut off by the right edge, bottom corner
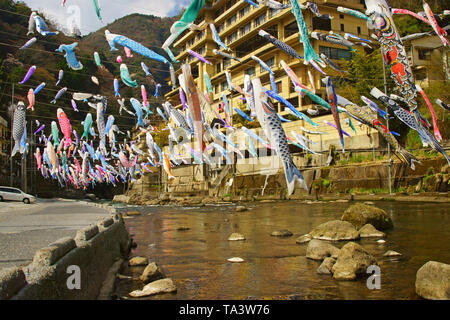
<point>433,281</point>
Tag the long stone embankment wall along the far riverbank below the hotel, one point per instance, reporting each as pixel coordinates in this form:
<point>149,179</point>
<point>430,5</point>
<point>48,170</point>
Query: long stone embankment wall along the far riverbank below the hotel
<point>247,181</point>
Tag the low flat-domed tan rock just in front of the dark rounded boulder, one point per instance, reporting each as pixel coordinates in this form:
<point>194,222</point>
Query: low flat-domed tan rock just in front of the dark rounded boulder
<point>335,230</point>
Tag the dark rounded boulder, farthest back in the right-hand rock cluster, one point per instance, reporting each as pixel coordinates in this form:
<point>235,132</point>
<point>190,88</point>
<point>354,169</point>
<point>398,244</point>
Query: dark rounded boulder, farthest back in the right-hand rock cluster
<point>360,214</point>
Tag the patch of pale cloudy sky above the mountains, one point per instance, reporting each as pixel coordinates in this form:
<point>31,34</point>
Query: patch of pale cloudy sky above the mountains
<point>83,11</point>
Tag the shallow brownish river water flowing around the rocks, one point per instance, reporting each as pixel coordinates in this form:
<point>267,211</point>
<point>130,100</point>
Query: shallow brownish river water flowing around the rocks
<point>276,268</point>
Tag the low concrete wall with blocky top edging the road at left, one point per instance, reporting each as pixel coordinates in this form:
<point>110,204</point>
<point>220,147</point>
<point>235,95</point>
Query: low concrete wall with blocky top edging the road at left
<point>94,250</point>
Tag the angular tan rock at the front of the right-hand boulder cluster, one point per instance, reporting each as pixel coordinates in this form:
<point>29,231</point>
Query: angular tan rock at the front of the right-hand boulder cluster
<point>352,261</point>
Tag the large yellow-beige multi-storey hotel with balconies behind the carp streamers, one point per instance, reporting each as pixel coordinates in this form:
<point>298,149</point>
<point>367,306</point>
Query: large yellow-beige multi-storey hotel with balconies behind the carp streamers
<point>238,23</point>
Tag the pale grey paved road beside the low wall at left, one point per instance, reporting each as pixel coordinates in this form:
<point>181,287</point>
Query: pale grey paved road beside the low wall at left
<point>24,229</point>
